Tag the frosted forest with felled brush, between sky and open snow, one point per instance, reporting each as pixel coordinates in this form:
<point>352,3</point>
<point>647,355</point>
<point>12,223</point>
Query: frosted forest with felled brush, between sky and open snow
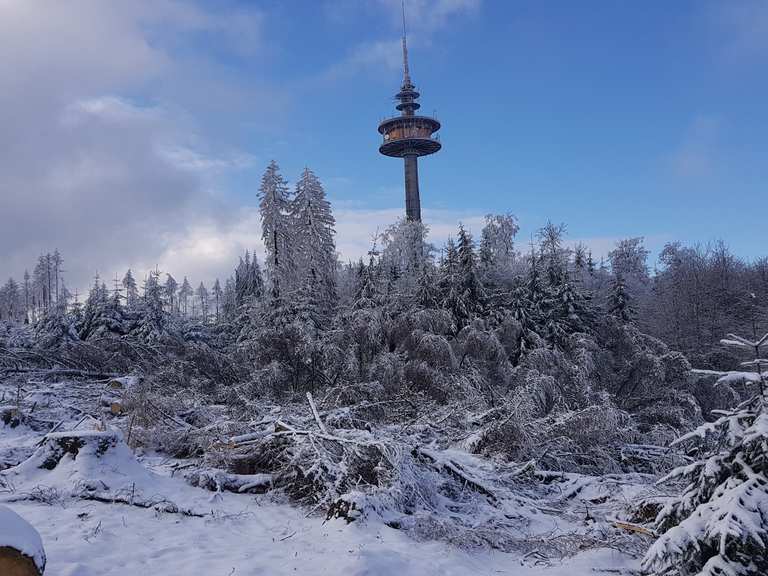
<point>445,390</point>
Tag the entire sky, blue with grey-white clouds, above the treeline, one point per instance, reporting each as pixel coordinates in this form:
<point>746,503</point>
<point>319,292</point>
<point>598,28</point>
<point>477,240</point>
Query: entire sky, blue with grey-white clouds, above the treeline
<point>618,118</point>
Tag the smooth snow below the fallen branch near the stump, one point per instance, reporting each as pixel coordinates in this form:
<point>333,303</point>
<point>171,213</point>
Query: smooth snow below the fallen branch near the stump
<point>89,539</point>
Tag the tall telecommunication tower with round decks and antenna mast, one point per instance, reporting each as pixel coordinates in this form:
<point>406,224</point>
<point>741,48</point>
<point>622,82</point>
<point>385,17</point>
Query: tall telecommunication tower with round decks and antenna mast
<point>409,136</point>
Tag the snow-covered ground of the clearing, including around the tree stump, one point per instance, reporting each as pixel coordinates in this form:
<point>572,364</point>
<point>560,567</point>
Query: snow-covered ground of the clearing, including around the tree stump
<point>234,533</point>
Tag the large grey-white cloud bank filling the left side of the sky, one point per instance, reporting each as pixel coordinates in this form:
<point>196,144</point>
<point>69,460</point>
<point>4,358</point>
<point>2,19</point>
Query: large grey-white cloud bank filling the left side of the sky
<point>110,180</point>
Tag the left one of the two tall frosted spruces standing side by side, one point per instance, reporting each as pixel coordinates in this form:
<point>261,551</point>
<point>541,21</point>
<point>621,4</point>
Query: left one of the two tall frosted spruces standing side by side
<point>275,226</point>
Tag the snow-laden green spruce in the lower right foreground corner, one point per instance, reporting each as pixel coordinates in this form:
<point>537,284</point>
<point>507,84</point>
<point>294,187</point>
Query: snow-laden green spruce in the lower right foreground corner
<point>718,526</point>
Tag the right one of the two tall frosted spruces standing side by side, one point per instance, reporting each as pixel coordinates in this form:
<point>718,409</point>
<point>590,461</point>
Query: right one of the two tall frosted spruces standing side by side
<point>313,246</point>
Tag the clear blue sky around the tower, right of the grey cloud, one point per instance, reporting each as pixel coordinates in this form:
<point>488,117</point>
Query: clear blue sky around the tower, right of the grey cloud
<point>618,118</point>
